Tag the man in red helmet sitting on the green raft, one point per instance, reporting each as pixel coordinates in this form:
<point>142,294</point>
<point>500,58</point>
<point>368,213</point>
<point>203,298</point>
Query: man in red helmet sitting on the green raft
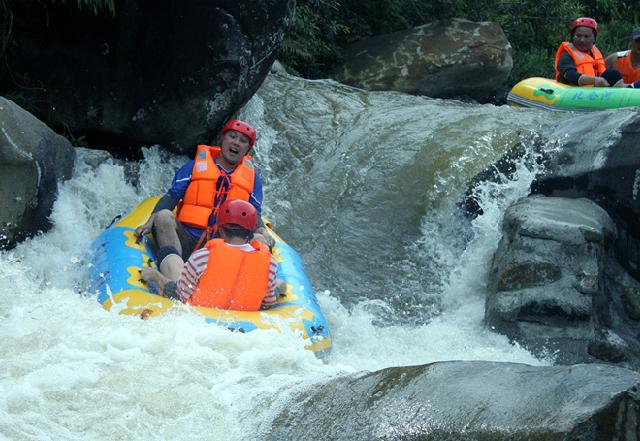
<point>580,62</point>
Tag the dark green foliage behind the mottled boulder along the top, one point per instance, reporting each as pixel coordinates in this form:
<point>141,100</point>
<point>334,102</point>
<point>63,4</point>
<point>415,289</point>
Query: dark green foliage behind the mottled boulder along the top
<point>534,28</point>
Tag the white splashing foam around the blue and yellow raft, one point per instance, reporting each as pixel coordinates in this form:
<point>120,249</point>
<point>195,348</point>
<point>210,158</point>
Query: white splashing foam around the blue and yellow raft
<point>72,371</point>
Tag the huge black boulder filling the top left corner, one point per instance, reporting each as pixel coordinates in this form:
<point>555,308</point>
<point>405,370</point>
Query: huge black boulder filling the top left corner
<point>158,72</point>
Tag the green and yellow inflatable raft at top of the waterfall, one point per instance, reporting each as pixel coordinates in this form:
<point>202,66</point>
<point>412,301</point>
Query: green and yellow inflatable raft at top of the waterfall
<point>552,95</point>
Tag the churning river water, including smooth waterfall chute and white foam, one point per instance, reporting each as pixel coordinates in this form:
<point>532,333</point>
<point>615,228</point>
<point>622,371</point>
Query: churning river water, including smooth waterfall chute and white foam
<point>364,185</point>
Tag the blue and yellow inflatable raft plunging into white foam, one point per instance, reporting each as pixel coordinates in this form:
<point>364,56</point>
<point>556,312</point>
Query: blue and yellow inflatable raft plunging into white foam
<point>114,272</point>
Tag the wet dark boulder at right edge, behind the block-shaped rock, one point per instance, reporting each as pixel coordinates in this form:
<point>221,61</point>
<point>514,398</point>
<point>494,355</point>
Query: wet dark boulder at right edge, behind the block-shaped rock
<point>597,156</point>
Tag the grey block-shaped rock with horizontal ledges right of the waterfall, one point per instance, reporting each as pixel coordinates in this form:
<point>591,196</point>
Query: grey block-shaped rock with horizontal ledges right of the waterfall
<point>556,288</point>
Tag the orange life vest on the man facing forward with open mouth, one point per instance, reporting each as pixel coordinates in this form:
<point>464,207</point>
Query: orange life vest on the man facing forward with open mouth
<point>199,199</point>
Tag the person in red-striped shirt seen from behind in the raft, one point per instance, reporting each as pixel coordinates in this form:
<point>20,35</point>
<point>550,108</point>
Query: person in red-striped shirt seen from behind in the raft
<point>228,272</point>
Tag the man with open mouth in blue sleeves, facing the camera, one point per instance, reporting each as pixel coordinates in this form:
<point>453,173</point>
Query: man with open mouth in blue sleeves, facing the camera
<point>200,187</point>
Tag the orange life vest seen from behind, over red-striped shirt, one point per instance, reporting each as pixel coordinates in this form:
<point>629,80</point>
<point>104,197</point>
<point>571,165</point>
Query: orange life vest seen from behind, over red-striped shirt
<point>233,279</point>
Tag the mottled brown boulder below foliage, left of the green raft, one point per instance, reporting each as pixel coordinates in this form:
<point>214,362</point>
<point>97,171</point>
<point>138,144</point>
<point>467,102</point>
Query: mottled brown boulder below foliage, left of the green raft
<point>442,59</point>
